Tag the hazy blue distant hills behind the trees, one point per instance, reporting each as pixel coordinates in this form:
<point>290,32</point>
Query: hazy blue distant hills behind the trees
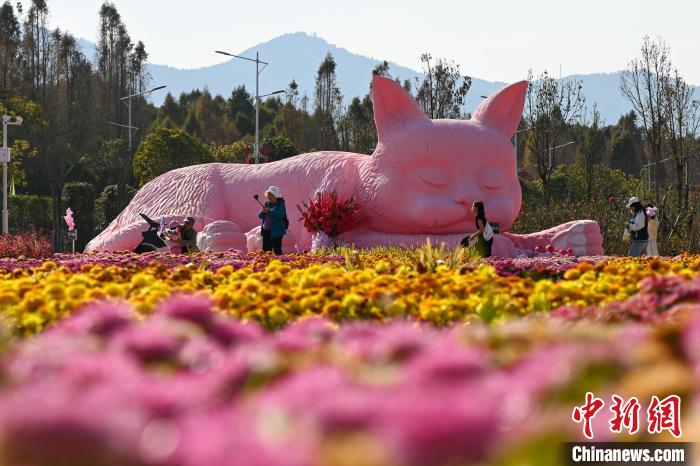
<point>298,55</point>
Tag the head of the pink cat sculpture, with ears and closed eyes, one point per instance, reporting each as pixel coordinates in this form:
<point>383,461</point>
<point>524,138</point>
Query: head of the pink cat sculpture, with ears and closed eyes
<point>425,174</point>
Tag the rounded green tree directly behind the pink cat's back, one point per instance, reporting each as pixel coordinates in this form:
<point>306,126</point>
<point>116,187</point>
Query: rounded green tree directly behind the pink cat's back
<point>167,149</point>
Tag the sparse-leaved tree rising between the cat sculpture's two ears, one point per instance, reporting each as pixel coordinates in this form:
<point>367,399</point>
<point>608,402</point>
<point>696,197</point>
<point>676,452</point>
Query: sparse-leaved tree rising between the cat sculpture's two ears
<point>441,93</point>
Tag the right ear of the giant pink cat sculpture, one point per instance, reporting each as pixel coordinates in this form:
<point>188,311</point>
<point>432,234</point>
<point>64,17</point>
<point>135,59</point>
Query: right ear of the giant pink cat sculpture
<point>503,109</point>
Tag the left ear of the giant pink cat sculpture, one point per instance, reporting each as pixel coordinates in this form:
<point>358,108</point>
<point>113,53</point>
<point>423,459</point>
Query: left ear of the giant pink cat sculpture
<point>393,106</point>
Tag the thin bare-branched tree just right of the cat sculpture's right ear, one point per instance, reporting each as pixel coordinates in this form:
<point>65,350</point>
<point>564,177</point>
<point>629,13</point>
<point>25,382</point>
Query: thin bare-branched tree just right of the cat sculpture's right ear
<point>551,107</point>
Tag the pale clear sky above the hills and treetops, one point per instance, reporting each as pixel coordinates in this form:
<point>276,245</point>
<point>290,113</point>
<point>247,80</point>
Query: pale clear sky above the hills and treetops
<point>494,40</point>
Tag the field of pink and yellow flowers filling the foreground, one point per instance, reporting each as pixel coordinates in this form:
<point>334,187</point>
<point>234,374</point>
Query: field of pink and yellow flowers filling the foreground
<point>348,358</point>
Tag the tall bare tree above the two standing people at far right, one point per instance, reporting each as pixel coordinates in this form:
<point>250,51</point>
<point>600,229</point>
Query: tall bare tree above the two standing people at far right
<point>643,85</point>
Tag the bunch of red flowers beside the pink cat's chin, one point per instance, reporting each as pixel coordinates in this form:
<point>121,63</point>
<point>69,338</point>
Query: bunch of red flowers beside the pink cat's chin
<point>329,213</point>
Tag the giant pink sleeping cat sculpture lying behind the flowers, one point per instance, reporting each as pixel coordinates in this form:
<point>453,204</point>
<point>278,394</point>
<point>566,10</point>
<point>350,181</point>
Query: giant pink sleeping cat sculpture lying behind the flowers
<point>419,184</point>
